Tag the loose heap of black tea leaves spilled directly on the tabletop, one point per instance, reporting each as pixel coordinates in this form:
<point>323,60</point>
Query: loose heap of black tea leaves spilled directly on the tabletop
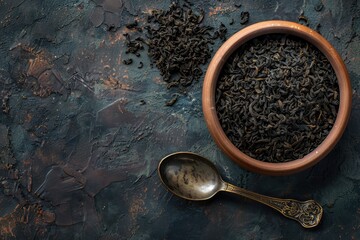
<point>178,43</point>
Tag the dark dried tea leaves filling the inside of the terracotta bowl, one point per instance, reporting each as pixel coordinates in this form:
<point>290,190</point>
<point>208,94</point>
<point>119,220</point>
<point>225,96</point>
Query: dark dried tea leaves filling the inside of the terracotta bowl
<point>277,98</point>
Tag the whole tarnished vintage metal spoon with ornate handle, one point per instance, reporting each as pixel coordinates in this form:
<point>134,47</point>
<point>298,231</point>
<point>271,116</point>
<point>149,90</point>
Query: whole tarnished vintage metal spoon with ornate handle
<point>193,177</point>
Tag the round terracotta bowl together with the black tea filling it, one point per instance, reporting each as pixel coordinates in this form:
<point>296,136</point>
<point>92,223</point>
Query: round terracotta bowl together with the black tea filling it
<point>276,97</point>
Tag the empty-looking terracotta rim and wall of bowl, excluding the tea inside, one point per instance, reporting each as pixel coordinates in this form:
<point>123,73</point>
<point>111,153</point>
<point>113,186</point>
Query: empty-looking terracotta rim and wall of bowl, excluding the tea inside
<point>208,97</point>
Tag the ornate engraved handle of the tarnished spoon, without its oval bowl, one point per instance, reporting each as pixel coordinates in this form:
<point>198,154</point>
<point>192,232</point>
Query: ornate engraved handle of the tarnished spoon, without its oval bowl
<point>307,213</point>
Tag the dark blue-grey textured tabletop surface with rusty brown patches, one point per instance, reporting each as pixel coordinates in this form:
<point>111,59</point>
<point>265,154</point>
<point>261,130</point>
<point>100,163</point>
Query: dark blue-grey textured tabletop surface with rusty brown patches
<point>79,149</point>
